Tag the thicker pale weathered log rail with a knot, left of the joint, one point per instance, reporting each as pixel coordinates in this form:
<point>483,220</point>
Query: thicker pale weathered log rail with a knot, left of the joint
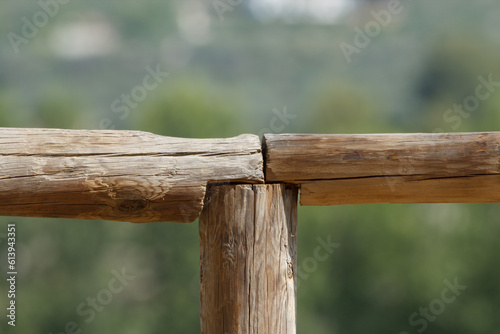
<point>117,175</point>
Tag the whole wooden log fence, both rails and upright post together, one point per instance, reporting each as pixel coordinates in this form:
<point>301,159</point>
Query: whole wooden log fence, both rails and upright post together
<point>245,195</point>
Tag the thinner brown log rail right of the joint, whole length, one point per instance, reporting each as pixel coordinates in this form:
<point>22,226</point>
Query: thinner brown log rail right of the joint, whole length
<point>387,168</point>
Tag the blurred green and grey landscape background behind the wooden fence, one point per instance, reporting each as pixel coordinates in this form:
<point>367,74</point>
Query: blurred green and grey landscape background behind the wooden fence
<point>233,67</point>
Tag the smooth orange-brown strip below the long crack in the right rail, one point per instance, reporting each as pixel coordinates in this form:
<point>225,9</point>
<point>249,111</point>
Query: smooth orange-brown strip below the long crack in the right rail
<point>405,189</point>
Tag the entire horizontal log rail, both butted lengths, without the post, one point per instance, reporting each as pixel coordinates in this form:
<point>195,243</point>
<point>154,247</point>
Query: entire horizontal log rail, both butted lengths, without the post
<point>141,177</point>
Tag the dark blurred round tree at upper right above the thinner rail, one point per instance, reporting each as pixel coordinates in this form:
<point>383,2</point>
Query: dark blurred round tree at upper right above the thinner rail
<point>452,74</point>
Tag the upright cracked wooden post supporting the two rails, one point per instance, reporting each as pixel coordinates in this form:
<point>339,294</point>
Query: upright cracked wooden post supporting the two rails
<point>248,259</point>
